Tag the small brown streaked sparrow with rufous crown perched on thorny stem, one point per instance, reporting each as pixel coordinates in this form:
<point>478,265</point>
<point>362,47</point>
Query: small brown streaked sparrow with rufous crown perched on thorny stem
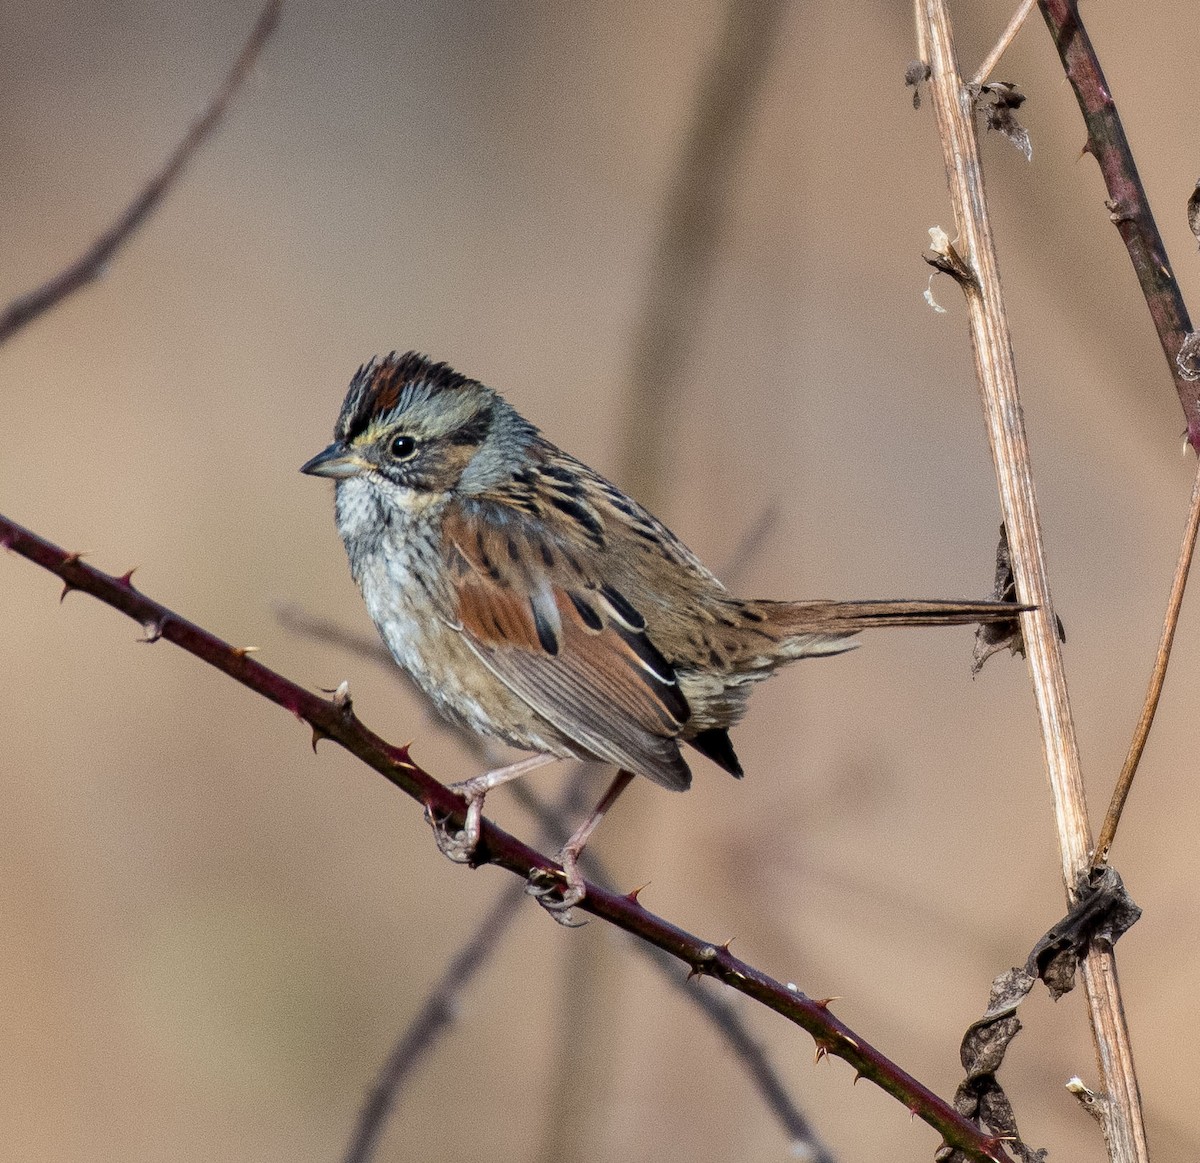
<point>536,603</point>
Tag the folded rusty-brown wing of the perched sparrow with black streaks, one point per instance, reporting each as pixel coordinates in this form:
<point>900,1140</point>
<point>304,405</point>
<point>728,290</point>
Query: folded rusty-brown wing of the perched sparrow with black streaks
<point>572,648</point>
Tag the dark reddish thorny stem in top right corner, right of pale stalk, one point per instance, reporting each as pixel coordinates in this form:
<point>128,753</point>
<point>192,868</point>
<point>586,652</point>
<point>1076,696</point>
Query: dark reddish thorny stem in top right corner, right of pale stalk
<point>1129,205</point>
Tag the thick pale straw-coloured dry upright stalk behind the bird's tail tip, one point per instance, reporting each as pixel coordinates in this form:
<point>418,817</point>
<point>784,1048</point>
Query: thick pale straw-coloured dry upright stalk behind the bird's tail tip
<point>974,261</point>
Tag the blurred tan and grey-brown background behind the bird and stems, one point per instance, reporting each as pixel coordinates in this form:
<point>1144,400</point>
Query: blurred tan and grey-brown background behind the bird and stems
<point>211,938</point>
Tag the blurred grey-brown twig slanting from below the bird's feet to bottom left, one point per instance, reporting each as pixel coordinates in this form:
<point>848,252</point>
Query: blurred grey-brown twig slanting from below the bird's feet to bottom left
<point>431,1021</point>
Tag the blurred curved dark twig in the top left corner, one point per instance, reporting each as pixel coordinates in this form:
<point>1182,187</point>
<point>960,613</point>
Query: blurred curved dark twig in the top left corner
<point>93,263</point>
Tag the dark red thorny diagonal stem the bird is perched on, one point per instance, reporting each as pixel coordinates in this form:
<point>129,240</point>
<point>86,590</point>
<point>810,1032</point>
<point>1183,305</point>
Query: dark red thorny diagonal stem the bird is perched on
<point>335,720</point>
